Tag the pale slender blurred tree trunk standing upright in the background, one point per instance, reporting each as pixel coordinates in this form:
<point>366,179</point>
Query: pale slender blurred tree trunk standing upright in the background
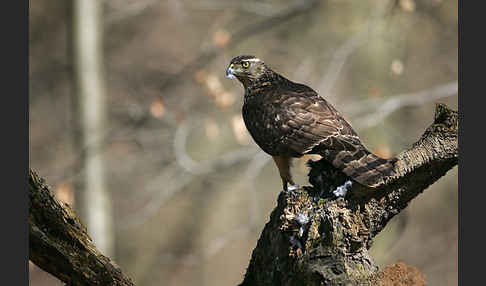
<point>93,199</point>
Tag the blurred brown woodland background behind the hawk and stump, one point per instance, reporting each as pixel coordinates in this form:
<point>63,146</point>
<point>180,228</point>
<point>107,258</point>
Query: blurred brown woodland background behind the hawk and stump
<point>183,192</point>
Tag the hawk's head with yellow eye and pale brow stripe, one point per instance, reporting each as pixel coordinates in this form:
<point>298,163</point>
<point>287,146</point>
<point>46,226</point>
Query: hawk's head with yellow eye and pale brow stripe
<point>247,69</point>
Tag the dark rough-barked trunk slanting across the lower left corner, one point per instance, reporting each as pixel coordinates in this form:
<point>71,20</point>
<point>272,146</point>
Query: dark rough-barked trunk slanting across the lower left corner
<point>60,244</point>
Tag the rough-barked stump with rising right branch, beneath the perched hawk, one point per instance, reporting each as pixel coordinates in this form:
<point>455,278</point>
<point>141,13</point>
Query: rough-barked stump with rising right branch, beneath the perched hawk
<point>316,238</point>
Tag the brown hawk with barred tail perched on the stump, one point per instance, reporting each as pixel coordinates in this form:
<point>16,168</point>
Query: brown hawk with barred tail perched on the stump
<point>288,119</point>
